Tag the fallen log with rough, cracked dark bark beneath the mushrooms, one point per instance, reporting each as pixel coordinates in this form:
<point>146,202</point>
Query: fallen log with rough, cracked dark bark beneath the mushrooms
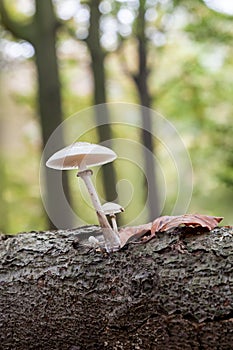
<point>175,292</point>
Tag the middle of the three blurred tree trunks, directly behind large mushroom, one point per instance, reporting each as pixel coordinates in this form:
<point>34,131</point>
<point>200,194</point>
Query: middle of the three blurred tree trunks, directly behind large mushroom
<point>102,113</point>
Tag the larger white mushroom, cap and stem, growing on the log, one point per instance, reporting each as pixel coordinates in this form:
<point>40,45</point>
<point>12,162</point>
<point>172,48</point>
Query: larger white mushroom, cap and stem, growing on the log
<point>81,155</point>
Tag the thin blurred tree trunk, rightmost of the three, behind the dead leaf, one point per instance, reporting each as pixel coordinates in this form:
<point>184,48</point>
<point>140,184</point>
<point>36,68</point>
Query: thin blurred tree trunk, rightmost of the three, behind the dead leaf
<point>141,82</point>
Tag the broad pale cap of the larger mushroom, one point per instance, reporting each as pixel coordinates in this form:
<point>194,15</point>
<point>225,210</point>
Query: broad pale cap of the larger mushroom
<point>80,155</point>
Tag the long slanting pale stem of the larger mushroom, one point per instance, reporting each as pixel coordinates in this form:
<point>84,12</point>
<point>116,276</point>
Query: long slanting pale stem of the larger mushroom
<point>112,239</point>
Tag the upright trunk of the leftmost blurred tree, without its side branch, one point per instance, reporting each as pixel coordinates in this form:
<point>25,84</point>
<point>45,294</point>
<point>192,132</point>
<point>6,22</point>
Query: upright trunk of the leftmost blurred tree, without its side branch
<point>49,103</point>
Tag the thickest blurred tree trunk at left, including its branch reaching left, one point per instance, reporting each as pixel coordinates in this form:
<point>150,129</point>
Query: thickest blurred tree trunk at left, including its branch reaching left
<point>41,33</point>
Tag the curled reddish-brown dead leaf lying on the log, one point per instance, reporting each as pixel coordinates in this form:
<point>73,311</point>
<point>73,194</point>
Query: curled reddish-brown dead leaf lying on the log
<point>165,223</point>
